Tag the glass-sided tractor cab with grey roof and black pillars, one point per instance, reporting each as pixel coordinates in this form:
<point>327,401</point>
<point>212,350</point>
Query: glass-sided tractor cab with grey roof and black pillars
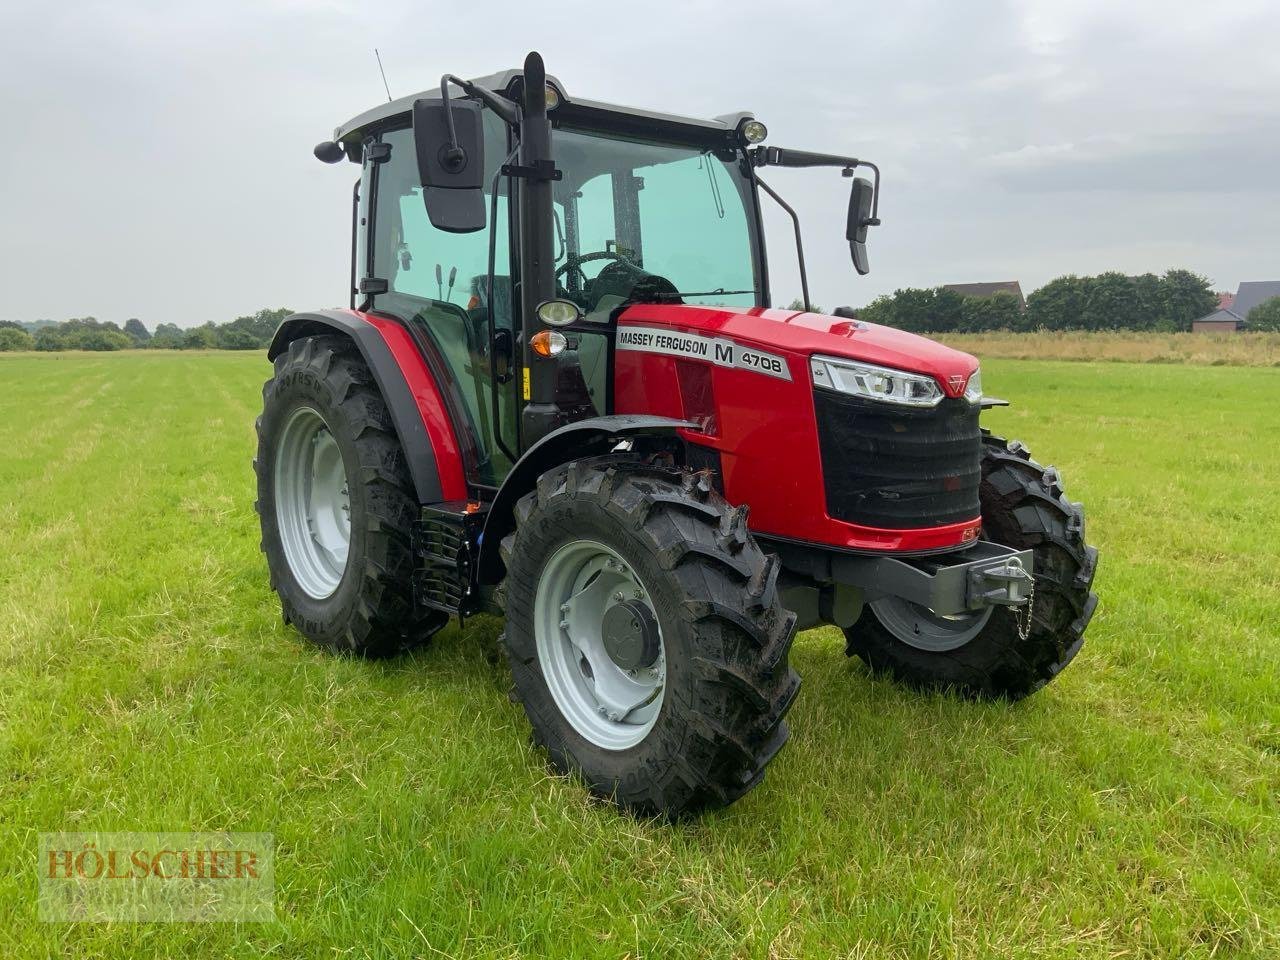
<point>643,208</point>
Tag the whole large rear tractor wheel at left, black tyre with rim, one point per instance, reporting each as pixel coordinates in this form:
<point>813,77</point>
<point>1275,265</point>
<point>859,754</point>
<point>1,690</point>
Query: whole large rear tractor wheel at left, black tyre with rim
<point>336,504</point>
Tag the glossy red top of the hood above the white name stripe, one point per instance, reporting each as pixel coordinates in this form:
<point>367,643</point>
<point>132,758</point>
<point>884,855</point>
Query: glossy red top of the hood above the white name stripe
<point>806,335</point>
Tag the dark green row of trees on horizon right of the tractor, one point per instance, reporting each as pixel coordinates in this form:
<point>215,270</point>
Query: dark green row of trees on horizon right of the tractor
<point>1110,301</point>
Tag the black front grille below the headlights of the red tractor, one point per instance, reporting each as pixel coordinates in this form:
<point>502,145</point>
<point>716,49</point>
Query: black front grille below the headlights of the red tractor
<point>899,468</point>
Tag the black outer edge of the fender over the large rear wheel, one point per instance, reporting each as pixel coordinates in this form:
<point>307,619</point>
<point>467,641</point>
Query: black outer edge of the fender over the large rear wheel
<point>392,381</point>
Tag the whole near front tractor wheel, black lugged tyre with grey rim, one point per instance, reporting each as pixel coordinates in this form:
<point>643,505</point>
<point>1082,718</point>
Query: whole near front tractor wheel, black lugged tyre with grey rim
<point>607,533</point>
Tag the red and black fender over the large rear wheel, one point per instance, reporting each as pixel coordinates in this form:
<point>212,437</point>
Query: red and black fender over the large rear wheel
<point>412,408</point>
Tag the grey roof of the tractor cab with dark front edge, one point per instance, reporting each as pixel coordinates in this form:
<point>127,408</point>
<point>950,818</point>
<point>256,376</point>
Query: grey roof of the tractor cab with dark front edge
<point>624,120</point>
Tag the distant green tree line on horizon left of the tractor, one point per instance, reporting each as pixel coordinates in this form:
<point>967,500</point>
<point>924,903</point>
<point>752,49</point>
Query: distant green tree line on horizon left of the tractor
<point>253,332</point>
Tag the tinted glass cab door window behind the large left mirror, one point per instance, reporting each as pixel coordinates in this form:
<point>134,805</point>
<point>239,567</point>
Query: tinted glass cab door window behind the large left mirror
<point>437,282</point>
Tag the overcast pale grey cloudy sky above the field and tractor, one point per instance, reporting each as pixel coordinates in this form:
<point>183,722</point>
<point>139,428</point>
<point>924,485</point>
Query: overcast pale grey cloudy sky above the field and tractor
<point>159,154</point>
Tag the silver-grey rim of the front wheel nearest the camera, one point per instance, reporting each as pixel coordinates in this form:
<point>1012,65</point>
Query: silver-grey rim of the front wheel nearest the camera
<point>612,707</point>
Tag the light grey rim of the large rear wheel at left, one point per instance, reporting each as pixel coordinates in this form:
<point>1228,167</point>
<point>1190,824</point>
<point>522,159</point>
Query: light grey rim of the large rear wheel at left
<point>313,506</point>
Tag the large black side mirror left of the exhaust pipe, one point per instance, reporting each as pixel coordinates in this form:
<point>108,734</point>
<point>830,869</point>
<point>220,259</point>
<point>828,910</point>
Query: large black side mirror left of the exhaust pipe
<point>451,168</point>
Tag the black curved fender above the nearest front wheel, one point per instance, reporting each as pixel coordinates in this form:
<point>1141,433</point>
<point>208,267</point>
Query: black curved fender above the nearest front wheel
<point>575,441</point>
